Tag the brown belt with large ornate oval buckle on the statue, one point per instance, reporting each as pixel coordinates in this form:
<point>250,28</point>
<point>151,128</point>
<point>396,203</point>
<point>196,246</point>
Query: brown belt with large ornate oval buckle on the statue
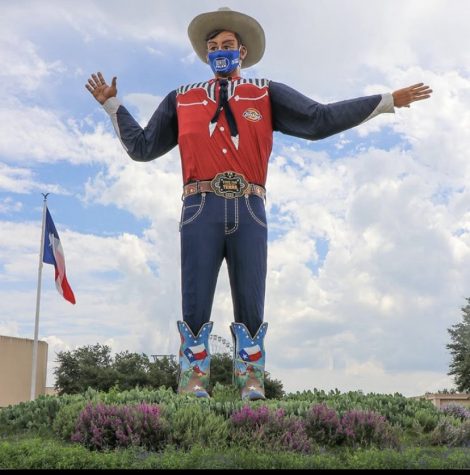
<point>227,185</point>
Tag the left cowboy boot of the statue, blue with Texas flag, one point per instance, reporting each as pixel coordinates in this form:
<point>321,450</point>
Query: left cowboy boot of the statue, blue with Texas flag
<point>194,359</point>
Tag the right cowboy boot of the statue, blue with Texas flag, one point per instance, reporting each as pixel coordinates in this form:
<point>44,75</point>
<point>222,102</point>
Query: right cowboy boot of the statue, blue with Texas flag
<point>248,361</point>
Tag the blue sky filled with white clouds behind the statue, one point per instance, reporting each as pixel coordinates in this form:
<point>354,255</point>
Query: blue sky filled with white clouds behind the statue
<point>369,240</point>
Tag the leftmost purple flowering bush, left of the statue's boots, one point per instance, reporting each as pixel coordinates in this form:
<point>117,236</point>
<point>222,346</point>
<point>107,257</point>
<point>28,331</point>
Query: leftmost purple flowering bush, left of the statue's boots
<point>102,426</point>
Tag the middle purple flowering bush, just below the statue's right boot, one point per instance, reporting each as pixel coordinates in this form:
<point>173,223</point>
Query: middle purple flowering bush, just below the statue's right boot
<point>268,428</point>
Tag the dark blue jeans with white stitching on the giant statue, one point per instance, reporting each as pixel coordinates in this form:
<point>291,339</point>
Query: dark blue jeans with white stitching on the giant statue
<point>212,229</point>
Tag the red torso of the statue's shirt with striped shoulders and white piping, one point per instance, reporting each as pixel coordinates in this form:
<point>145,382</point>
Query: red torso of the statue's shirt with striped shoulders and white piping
<point>204,155</point>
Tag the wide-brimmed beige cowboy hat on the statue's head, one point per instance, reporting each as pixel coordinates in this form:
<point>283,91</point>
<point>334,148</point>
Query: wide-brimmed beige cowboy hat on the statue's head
<point>224,18</point>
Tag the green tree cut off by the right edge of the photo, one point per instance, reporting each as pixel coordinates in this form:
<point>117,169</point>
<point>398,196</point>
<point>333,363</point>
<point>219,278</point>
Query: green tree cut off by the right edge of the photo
<point>460,350</point>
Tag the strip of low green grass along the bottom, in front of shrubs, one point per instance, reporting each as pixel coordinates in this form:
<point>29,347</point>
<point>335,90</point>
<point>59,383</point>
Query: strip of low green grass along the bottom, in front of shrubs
<point>43,453</point>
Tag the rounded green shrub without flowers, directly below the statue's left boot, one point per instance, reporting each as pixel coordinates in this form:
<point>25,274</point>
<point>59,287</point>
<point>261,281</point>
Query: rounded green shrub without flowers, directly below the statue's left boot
<point>194,423</point>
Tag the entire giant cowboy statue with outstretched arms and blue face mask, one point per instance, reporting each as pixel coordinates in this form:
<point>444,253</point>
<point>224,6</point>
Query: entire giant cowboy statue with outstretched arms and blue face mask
<point>224,130</point>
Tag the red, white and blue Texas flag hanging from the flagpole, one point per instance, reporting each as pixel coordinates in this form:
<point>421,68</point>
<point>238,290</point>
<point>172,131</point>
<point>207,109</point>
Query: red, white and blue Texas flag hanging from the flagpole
<point>54,254</point>
